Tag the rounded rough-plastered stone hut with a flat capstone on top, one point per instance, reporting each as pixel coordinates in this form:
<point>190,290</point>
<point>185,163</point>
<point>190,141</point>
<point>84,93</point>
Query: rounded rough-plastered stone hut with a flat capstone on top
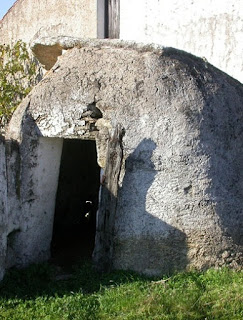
<point>168,130</point>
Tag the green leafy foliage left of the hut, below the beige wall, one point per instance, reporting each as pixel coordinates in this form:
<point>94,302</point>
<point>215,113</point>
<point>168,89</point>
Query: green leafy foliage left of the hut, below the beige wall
<point>18,74</point>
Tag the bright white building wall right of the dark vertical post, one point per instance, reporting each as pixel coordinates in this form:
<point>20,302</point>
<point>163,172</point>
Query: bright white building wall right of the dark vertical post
<point>212,29</point>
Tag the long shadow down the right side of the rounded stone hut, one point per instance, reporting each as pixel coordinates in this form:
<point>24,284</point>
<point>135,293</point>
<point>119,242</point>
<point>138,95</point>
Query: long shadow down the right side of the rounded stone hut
<point>221,140</point>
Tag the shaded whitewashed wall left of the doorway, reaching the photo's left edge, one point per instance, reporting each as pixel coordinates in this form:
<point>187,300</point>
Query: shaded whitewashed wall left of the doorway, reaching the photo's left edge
<point>29,194</point>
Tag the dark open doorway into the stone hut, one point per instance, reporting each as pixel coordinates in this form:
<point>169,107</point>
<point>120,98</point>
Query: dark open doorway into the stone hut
<point>76,203</point>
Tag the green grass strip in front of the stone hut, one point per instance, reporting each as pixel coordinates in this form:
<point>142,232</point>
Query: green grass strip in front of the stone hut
<point>35,294</point>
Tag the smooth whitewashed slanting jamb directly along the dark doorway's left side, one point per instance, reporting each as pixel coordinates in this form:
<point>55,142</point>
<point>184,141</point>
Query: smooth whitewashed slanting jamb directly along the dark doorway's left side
<point>39,186</point>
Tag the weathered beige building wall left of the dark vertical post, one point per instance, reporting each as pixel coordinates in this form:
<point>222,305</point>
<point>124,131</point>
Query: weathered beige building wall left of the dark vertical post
<point>77,18</point>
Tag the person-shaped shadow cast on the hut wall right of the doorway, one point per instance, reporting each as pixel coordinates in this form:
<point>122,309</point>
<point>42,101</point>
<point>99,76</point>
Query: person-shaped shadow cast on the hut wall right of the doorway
<point>141,241</point>
